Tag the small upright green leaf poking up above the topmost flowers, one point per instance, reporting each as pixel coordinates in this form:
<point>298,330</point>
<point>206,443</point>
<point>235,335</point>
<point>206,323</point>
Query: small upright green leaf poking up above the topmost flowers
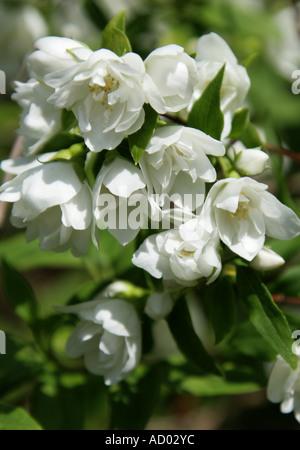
<point>114,37</point>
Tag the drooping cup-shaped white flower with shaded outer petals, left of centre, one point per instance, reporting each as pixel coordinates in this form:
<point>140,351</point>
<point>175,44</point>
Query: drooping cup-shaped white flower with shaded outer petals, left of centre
<point>118,188</point>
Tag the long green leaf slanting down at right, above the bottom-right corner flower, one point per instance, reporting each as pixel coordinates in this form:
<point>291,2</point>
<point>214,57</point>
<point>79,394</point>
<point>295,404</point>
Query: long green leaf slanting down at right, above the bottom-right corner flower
<point>264,314</point>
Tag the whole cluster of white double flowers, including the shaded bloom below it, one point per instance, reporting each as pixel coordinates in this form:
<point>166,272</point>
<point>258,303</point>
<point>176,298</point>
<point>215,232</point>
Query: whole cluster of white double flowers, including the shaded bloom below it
<point>134,163</point>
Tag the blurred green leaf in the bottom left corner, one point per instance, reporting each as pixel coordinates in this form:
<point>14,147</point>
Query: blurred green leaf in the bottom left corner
<point>13,418</point>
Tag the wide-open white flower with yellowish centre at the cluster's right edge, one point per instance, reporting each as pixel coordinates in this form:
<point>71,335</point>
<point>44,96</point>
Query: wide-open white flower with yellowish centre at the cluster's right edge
<point>243,212</point>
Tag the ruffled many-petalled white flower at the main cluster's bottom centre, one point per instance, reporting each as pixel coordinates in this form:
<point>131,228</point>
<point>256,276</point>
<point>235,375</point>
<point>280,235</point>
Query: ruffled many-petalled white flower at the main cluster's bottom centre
<point>180,256</point>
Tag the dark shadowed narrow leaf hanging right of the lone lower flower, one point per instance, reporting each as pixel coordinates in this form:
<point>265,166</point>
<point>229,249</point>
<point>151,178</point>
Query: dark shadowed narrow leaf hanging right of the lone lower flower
<point>188,342</point>
